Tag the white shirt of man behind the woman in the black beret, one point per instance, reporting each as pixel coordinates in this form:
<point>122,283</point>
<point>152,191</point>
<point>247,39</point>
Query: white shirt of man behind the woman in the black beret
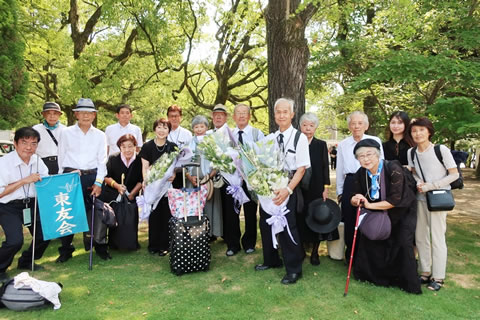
<point>346,162</point>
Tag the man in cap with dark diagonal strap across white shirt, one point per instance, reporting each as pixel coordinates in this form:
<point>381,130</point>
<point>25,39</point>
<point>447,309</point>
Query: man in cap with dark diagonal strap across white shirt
<point>49,132</point>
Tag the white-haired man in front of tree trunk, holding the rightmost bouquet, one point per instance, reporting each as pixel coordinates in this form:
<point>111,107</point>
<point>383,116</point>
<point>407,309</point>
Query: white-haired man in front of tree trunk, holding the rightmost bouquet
<point>296,159</point>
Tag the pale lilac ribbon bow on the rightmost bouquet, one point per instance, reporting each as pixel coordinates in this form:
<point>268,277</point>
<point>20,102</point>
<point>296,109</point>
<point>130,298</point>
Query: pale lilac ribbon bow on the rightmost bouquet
<point>277,221</point>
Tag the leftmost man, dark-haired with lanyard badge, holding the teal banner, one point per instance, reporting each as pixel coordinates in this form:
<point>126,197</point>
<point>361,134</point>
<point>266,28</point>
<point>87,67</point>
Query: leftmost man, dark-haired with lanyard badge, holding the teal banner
<point>21,168</point>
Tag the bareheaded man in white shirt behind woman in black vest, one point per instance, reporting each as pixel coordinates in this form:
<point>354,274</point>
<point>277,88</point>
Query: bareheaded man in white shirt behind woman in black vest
<point>122,127</point>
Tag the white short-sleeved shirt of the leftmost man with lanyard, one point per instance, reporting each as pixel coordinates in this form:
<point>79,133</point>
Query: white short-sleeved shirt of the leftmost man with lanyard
<point>14,169</point>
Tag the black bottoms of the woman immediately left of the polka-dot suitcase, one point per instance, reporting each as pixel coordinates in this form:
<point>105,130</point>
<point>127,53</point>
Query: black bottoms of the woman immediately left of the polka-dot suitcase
<point>158,228</point>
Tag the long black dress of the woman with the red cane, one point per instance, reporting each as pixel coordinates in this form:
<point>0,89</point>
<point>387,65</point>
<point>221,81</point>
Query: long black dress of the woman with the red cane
<point>389,262</point>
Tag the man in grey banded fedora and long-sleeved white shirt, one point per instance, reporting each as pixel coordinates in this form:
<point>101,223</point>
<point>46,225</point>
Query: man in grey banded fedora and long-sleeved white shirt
<point>82,148</point>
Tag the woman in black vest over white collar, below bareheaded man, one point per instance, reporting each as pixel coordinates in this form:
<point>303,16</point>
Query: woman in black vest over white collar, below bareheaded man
<point>124,175</point>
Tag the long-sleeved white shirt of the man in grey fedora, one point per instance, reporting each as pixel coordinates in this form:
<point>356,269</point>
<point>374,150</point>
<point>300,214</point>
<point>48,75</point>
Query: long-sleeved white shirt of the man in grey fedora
<point>83,151</point>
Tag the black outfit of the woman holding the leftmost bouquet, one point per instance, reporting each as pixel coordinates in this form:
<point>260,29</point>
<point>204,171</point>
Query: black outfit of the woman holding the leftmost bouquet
<point>158,229</point>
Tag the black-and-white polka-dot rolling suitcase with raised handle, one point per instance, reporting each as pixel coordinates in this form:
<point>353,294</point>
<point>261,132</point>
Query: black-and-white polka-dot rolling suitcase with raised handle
<point>189,239</point>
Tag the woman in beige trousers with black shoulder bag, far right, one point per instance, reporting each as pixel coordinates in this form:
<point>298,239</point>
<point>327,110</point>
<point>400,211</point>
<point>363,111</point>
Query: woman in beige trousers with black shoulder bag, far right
<point>431,227</point>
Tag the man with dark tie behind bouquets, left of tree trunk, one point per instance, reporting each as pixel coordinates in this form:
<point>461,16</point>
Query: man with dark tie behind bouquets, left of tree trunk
<point>244,133</point>
